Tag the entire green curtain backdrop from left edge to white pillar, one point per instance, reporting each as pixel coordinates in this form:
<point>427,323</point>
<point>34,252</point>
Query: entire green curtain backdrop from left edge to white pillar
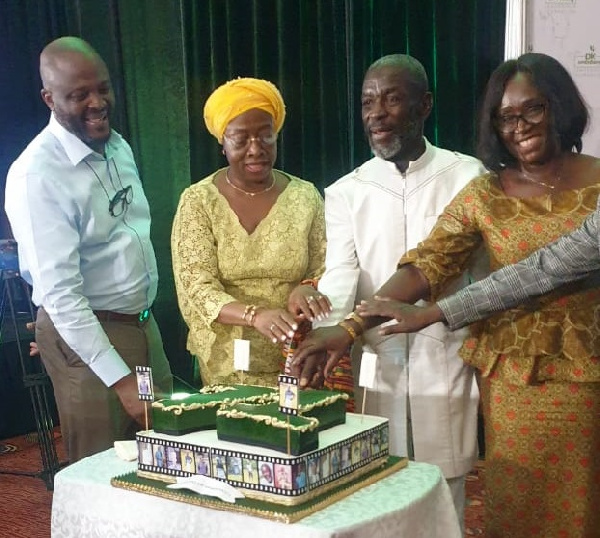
<point>166,56</point>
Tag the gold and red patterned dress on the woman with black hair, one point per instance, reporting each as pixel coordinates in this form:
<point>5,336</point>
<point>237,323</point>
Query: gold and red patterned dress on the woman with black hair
<point>540,363</point>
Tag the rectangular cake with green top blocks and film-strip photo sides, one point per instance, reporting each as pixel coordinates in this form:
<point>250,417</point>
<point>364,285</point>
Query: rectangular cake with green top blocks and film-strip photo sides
<point>239,435</point>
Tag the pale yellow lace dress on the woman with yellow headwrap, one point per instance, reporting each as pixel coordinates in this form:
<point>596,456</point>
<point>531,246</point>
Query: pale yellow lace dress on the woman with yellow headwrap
<point>216,262</point>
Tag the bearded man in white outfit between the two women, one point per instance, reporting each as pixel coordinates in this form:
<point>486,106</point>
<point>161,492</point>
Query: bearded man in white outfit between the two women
<point>374,215</point>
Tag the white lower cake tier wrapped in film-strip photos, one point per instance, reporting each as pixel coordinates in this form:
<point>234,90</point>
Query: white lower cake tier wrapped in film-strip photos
<point>345,452</point>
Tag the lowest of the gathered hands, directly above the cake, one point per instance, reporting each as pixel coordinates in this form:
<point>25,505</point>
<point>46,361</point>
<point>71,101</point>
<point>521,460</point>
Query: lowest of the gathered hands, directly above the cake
<point>325,344</point>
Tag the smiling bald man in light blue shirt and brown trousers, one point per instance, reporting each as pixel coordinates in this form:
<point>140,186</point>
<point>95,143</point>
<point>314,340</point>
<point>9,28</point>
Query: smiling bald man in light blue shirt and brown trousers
<point>76,207</point>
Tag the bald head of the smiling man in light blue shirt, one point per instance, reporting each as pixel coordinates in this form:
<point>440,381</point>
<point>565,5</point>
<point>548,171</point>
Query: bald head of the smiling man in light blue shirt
<point>77,89</point>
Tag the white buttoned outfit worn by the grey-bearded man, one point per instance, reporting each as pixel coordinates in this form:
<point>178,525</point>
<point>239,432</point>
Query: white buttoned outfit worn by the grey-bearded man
<point>373,216</point>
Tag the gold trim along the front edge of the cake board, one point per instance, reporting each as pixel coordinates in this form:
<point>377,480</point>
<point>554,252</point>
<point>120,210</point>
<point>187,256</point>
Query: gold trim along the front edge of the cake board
<point>271,510</point>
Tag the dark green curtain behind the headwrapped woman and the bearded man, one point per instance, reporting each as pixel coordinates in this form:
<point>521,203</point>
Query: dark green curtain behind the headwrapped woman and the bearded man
<point>317,52</point>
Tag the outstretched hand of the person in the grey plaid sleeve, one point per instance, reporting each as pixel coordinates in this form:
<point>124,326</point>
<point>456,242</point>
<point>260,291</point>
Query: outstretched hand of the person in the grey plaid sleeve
<point>410,318</point>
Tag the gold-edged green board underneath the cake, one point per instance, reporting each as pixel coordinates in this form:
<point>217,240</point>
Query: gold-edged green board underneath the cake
<point>276,512</point>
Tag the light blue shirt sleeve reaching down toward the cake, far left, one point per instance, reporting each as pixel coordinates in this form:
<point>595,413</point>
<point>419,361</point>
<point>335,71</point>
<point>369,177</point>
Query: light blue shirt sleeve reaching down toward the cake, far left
<point>45,222</point>
